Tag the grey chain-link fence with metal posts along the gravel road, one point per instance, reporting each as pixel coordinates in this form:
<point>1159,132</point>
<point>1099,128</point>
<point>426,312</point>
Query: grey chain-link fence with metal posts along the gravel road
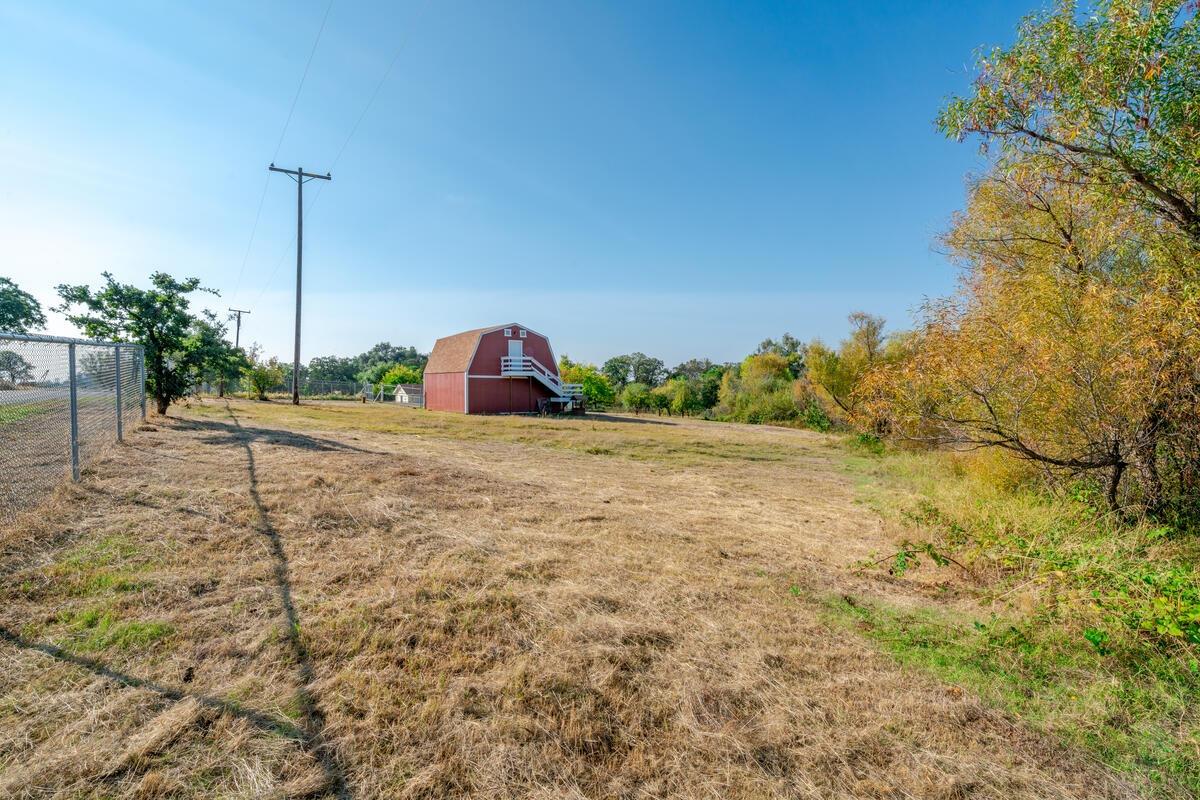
<point>63,402</point>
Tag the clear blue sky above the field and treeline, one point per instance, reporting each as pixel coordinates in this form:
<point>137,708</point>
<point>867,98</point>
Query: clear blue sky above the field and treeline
<point>677,178</point>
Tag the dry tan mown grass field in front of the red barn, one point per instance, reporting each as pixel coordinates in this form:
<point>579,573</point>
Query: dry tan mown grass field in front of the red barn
<point>362,601</point>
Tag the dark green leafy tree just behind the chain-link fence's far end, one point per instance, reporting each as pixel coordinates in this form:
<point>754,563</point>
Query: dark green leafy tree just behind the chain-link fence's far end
<point>158,318</point>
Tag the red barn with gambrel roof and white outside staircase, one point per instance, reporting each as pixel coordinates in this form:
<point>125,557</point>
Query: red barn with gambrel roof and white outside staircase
<point>502,370</point>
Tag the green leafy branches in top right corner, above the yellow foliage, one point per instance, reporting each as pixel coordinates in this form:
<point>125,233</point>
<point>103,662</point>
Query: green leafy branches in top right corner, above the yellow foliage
<point>1101,95</point>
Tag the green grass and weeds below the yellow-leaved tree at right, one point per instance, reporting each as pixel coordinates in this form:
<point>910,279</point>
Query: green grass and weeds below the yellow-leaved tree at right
<point>1099,636</point>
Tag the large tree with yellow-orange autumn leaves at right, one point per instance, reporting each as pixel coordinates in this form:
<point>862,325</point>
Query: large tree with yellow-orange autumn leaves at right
<point>1071,342</point>
